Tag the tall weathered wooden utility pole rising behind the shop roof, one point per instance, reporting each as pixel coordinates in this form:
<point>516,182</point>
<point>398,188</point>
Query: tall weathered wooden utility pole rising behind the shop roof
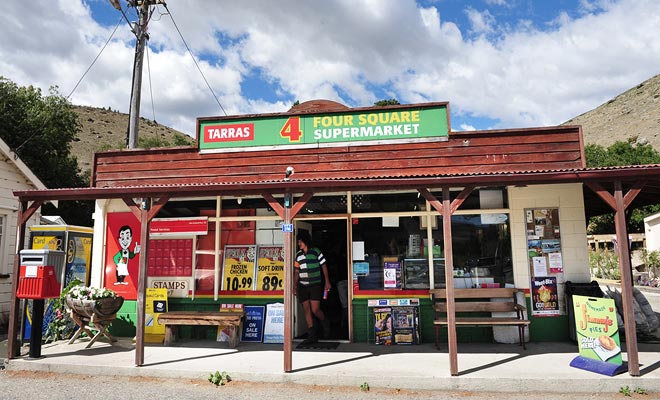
<point>141,35</point>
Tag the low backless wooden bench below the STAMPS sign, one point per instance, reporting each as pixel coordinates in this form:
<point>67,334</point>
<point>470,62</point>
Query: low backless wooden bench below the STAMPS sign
<point>231,319</point>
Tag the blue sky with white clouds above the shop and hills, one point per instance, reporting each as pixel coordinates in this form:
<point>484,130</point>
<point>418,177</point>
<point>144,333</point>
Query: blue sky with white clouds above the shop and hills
<point>499,63</point>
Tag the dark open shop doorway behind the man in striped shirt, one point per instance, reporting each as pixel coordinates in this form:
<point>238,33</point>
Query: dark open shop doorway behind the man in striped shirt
<point>329,235</point>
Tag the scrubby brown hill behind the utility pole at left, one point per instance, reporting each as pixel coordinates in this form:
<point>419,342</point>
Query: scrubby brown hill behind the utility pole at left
<point>104,129</point>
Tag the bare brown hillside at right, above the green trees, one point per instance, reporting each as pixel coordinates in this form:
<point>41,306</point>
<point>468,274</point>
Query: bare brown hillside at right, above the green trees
<point>633,115</point>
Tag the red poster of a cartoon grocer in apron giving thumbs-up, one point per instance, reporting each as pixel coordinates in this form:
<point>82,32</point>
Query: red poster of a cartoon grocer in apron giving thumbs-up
<point>122,257</point>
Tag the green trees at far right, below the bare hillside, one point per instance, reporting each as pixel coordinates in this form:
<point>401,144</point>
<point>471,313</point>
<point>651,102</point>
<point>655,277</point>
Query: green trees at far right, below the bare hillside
<point>621,153</point>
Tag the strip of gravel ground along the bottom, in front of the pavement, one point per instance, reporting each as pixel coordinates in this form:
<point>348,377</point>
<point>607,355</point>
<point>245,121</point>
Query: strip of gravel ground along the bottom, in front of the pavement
<point>16,385</point>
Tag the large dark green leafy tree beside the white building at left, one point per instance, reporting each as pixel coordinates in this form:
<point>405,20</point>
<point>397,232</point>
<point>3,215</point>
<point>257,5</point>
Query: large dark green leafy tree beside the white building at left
<point>40,129</point>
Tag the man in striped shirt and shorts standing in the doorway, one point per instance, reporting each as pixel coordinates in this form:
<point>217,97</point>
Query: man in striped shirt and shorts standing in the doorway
<point>310,281</point>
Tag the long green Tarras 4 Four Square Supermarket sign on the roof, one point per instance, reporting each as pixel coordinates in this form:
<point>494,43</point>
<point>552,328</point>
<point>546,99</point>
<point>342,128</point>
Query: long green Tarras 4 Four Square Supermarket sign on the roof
<point>363,126</point>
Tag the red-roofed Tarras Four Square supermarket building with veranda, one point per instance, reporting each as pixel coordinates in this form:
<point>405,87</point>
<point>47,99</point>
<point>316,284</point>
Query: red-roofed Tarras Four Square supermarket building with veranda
<point>375,187</point>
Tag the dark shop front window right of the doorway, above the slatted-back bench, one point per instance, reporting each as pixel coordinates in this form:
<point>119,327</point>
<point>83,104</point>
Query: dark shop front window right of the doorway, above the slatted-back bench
<point>392,252</point>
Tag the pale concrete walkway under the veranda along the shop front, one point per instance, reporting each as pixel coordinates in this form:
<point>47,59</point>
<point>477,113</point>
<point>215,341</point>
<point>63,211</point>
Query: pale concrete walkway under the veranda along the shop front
<point>543,367</point>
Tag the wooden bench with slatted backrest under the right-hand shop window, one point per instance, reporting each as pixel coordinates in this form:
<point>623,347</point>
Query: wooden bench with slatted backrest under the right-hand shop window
<point>471,304</point>
